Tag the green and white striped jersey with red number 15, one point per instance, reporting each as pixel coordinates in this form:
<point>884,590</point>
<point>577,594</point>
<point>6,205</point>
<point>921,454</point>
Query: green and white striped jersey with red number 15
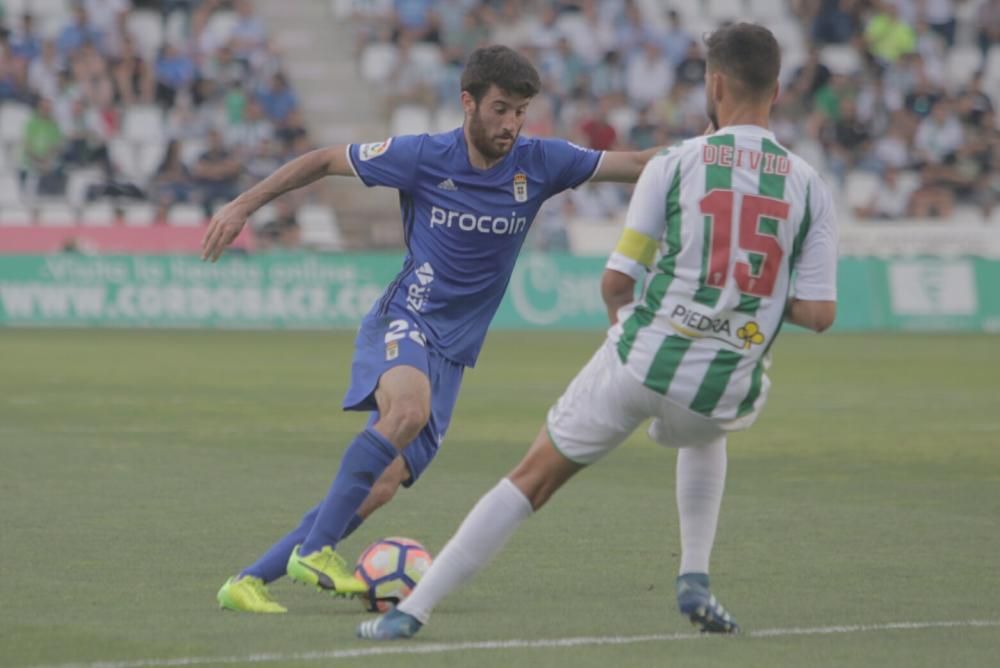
<point>716,227</point>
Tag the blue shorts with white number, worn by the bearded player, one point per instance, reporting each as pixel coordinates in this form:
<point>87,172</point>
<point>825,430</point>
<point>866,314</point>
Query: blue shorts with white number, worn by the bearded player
<point>387,341</point>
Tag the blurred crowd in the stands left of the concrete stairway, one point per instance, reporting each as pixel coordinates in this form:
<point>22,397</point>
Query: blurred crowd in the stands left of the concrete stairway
<point>180,104</point>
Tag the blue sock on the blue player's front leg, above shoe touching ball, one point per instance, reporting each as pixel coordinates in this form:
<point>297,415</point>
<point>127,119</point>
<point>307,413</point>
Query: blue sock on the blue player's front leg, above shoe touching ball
<point>365,459</point>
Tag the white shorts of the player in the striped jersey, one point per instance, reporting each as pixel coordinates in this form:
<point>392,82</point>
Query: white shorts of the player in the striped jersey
<point>605,403</point>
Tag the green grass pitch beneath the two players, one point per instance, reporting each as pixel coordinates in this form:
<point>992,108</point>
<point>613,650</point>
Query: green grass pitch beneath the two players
<point>140,469</point>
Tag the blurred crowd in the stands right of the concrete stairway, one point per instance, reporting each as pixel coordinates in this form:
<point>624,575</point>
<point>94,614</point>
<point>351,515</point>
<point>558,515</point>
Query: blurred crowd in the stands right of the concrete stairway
<point>891,98</point>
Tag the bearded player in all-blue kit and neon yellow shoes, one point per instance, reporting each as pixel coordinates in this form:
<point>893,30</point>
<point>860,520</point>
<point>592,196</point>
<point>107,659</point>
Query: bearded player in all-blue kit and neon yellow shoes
<point>467,199</point>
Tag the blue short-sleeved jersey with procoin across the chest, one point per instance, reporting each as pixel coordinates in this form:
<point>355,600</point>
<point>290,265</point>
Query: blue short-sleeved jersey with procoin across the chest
<point>463,226</point>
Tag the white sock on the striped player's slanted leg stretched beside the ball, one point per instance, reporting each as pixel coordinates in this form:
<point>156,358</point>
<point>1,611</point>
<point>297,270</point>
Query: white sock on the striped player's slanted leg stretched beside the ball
<point>483,532</point>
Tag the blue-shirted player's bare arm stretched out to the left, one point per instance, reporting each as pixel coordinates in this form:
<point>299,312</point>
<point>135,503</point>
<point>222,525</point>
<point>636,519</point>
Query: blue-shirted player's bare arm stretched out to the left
<point>230,219</point>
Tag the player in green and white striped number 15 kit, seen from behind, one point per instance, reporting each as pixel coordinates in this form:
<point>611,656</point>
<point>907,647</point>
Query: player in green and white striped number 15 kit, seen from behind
<point>717,227</point>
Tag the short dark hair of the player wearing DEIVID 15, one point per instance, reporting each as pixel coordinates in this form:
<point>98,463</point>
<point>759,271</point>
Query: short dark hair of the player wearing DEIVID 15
<point>749,54</point>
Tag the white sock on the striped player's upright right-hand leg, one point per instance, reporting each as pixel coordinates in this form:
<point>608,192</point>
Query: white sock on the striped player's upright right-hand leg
<point>701,479</point>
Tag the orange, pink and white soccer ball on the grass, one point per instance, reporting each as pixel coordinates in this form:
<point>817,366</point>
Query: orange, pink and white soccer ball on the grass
<point>391,568</point>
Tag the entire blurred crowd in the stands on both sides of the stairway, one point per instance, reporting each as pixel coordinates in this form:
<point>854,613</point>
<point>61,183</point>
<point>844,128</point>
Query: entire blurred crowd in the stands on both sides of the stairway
<point>174,107</point>
